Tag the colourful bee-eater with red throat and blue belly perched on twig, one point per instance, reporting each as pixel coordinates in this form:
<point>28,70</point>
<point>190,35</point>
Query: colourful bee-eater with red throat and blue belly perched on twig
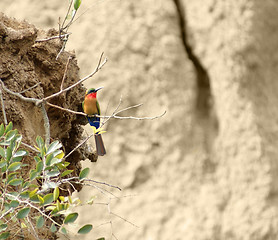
<point>90,106</point>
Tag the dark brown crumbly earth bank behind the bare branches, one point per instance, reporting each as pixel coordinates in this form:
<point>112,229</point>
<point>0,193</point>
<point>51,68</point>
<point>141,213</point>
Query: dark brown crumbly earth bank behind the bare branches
<point>25,64</point>
